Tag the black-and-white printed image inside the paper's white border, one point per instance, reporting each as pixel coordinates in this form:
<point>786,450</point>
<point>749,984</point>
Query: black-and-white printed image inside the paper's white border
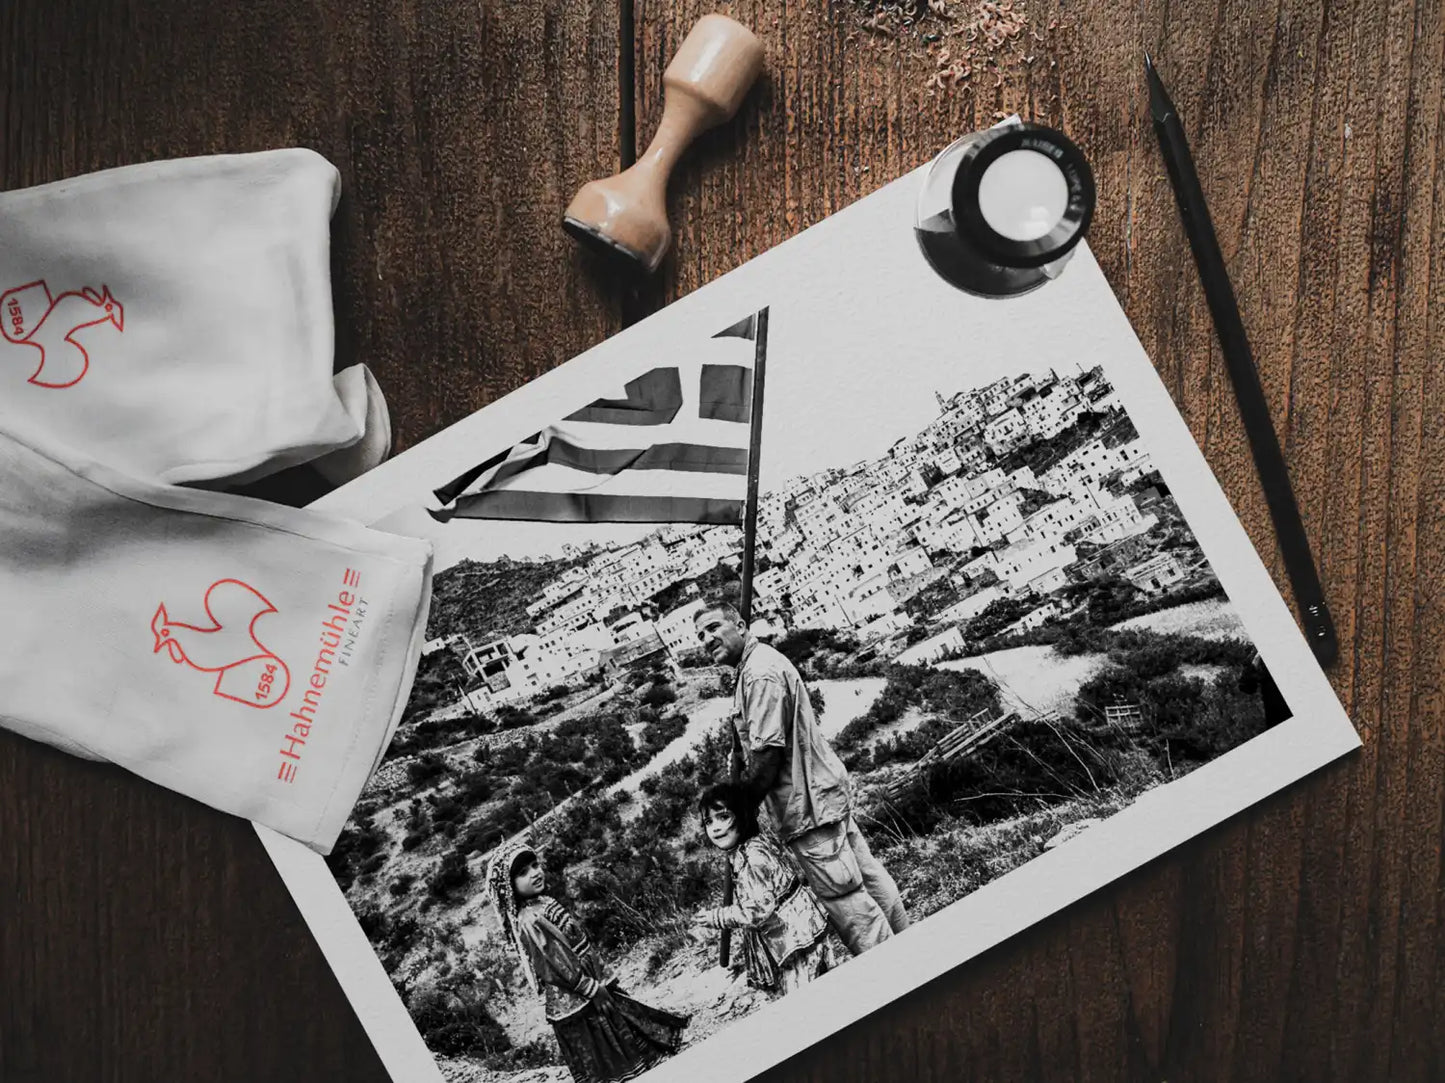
<point>618,816</point>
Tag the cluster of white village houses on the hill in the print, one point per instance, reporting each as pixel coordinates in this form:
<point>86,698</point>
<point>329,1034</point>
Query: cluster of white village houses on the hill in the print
<point>1015,492</point>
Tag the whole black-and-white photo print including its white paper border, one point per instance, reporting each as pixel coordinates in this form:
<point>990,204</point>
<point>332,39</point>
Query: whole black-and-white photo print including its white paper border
<point>785,653</point>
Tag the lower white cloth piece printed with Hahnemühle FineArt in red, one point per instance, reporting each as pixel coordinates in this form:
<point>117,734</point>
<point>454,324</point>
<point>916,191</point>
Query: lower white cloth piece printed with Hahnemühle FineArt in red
<point>251,656</point>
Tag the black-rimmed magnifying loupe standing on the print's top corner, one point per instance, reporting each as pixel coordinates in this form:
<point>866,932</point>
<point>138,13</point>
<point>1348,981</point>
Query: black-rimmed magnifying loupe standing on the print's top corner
<point>1002,210</point>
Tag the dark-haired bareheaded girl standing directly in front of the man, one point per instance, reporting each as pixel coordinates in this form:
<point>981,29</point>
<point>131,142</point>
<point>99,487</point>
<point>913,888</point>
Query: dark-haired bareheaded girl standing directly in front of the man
<point>784,930</point>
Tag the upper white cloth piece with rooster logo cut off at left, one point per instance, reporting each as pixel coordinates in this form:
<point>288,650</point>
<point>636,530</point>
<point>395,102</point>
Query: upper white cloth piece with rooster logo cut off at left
<point>174,320</point>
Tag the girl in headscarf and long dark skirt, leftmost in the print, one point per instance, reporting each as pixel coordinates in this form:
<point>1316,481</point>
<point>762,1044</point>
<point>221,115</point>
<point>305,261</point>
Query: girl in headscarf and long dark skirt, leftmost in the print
<point>603,1033</point>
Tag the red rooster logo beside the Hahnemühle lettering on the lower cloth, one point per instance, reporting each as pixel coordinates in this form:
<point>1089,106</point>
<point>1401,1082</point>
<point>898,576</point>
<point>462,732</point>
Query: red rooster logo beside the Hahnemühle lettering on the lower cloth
<point>245,670</point>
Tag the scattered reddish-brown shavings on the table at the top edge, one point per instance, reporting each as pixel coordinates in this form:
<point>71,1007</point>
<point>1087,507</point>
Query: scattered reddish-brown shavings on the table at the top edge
<point>973,44</point>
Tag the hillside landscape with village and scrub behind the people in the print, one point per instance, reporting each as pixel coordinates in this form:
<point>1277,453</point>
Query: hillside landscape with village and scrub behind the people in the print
<point>1018,569</point>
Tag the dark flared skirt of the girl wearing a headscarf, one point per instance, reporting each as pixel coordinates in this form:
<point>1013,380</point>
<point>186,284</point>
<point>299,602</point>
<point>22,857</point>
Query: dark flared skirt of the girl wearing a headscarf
<point>621,1042</point>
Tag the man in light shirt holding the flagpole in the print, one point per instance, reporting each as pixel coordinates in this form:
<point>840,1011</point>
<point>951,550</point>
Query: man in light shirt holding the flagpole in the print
<point>794,771</point>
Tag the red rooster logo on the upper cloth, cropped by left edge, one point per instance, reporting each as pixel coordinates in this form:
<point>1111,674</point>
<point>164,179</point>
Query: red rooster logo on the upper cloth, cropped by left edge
<point>30,316</point>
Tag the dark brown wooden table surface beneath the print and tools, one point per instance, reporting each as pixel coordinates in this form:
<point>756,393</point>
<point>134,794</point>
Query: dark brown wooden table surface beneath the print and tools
<point>145,938</point>
